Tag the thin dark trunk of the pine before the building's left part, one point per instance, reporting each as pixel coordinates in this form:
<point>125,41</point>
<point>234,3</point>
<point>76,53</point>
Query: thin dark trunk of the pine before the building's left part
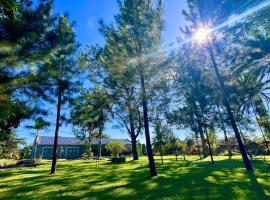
<point>55,145</point>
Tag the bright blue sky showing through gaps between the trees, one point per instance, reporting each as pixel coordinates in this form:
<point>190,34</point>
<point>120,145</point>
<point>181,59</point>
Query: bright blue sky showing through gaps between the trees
<point>86,14</point>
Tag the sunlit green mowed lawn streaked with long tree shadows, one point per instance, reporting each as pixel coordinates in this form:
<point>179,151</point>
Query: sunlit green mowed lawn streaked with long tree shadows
<point>191,179</point>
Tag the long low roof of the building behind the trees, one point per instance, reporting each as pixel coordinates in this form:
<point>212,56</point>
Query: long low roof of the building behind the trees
<point>49,140</point>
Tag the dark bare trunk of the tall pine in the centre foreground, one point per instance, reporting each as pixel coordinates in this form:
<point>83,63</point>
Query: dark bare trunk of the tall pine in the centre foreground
<point>151,160</point>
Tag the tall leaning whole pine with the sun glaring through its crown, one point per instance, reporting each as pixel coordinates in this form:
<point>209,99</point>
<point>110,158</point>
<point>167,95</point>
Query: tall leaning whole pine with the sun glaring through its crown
<point>198,15</point>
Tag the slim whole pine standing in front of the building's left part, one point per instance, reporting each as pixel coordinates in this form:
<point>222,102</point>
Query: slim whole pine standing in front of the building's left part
<point>57,76</point>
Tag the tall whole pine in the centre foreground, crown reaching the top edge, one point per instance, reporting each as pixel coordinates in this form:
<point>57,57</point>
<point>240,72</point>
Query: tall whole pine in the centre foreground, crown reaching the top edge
<point>142,24</point>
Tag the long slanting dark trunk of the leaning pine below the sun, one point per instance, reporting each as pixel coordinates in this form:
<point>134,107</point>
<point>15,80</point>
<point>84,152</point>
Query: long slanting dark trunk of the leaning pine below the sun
<point>229,111</point>
